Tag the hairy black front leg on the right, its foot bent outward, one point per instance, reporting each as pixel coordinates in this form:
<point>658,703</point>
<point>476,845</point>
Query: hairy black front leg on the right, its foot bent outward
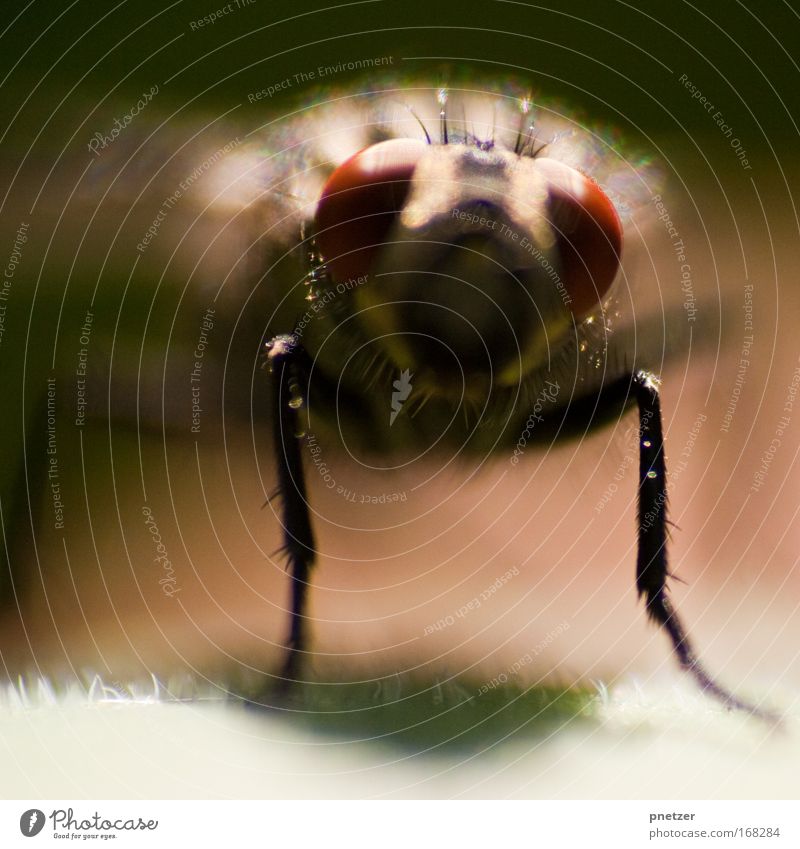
<point>651,567</point>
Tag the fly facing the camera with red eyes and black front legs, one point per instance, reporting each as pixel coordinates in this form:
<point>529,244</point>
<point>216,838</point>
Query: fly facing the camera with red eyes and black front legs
<point>476,270</point>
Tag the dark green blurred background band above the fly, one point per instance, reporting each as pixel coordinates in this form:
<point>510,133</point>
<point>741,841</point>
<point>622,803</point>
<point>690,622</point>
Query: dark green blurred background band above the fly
<point>619,62</point>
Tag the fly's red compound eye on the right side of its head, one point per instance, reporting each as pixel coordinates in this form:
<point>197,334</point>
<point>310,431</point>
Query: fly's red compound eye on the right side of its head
<point>588,233</point>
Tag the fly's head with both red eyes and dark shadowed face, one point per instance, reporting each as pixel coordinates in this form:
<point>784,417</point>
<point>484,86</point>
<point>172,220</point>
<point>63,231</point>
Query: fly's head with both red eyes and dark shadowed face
<point>470,266</point>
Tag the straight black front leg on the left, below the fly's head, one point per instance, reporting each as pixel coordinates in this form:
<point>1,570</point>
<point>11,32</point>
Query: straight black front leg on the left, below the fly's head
<point>288,363</point>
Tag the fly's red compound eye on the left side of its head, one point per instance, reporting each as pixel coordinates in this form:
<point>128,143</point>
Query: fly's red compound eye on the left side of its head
<point>360,201</point>
